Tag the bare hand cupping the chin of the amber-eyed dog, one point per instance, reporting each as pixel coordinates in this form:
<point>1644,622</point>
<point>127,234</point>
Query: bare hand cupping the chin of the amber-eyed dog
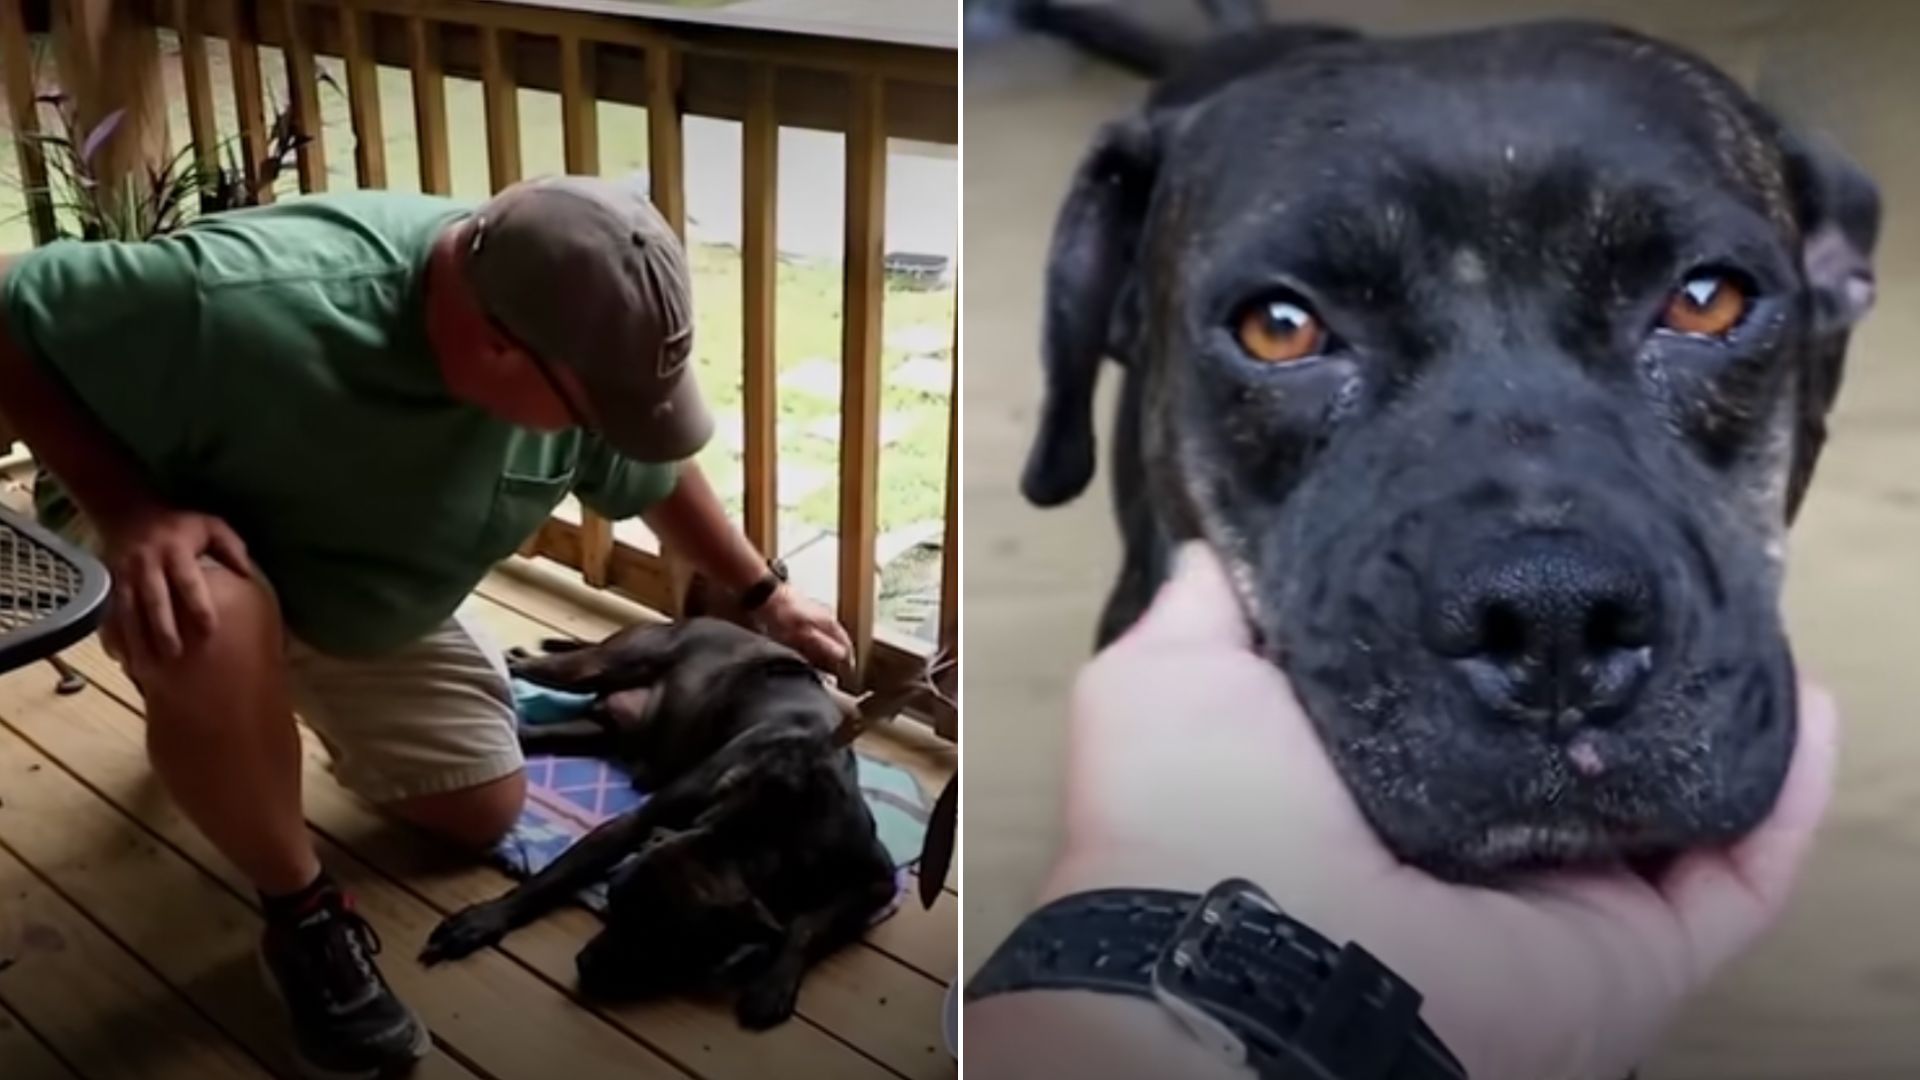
<point>1193,762</point>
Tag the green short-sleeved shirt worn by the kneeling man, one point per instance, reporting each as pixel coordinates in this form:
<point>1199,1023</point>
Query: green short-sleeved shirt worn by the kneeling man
<point>272,368</point>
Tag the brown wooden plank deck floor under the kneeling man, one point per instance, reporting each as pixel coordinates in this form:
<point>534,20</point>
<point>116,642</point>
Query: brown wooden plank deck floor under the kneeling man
<point>128,943</point>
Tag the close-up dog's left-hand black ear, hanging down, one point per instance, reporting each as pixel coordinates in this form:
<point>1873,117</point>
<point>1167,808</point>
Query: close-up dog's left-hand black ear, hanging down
<point>1093,253</point>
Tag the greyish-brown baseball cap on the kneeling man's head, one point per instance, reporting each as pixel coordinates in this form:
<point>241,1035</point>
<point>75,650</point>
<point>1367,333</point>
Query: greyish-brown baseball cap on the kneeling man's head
<point>587,274</point>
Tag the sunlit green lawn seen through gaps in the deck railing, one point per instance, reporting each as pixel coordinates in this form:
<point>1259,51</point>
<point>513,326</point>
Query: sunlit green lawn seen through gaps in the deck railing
<point>913,470</point>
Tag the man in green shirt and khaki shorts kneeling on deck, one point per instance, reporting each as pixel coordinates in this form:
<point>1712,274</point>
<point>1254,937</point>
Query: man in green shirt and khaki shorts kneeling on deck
<point>300,437</point>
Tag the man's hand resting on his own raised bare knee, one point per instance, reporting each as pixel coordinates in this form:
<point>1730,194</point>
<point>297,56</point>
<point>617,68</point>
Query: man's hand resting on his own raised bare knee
<point>160,604</point>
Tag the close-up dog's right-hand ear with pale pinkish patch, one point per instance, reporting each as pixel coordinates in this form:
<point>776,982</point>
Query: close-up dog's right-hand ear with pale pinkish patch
<point>1838,210</point>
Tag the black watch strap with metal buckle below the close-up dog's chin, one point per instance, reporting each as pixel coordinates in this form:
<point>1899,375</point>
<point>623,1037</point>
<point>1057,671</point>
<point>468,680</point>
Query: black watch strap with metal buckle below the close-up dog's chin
<point>1257,987</point>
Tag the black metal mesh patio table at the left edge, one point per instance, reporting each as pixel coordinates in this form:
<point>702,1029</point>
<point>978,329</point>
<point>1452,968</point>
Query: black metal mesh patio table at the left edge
<point>51,597</point>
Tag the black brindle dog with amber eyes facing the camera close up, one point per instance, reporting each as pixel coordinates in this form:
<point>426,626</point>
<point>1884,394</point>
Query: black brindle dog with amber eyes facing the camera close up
<point>1495,366</point>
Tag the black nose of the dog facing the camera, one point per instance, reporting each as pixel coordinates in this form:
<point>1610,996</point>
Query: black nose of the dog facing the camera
<point>1548,627</point>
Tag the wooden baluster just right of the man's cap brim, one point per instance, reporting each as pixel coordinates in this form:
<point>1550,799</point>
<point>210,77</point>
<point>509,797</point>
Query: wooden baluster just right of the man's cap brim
<point>759,274</point>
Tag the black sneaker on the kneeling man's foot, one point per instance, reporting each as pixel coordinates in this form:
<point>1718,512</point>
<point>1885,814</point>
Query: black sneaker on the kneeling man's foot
<point>347,1021</point>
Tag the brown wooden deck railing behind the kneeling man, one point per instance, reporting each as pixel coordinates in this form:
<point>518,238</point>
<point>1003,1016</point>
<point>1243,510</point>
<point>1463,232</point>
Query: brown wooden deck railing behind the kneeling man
<point>867,91</point>
